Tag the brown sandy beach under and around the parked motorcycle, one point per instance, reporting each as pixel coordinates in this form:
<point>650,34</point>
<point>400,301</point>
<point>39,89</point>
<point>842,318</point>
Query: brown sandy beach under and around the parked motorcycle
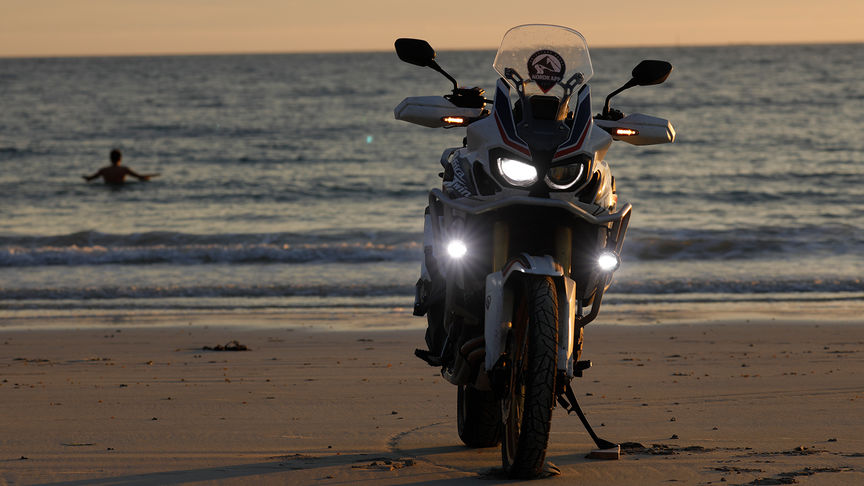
<point>737,400</point>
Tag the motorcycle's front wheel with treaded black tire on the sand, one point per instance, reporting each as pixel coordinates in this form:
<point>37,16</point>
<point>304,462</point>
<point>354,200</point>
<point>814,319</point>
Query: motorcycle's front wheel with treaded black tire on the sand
<point>527,410</point>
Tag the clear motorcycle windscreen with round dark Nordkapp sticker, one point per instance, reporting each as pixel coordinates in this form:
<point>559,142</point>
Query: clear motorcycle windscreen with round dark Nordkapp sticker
<point>545,57</point>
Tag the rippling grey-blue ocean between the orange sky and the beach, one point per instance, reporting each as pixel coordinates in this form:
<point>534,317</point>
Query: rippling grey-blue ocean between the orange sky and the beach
<point>286,183</point>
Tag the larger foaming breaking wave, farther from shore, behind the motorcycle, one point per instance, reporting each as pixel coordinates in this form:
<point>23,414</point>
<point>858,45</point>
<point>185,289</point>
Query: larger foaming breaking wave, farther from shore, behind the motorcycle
<point>95,248</point>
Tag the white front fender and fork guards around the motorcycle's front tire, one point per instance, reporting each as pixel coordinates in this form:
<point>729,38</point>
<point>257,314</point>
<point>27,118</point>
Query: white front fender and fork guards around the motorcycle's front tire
<point>499,303</point>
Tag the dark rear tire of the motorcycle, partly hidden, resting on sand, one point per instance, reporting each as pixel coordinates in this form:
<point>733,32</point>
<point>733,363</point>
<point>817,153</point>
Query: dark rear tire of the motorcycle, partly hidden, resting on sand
<point>478,417</point>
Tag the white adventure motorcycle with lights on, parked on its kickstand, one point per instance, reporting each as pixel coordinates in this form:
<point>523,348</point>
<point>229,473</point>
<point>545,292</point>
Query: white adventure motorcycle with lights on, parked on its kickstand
<point>522,239</point>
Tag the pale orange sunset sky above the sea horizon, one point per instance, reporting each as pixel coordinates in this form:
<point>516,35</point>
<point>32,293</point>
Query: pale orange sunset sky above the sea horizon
<point>96,27</point>
